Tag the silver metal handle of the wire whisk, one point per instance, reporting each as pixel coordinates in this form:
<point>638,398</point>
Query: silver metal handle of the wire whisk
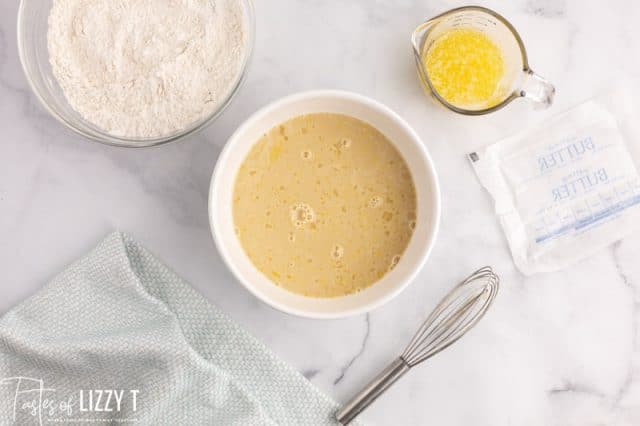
<point>372,391</point>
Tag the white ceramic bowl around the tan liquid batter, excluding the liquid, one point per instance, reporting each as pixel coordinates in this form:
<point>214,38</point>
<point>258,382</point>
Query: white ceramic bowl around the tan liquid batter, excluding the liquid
<point>405,140</point>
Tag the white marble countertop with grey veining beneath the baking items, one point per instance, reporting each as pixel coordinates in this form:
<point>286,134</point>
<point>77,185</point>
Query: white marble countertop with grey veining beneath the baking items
<point>556,349</point>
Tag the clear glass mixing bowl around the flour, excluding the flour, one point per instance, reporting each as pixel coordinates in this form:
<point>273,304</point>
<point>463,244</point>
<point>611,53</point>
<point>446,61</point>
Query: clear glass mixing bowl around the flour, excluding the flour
<point>32,47</point>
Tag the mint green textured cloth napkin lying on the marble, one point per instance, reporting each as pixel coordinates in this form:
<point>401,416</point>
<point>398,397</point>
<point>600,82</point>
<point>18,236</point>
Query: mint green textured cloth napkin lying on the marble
<point>118,325</point>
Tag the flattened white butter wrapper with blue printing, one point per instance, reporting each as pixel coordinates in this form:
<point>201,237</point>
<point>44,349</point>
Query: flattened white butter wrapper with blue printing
<point>569,187</point>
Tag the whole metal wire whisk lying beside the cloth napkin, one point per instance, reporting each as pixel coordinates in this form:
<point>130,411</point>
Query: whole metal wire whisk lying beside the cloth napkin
<point>458,312</point>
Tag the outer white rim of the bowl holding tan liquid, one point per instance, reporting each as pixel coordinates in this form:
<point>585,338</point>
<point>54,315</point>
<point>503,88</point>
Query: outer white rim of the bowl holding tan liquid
<point>419,263</point>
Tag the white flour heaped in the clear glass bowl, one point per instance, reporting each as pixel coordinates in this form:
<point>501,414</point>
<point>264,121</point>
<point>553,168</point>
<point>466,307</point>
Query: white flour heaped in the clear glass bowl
<point>146,68</point>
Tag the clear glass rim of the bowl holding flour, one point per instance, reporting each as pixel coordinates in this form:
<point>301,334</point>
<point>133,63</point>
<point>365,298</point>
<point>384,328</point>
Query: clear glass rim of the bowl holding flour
<point>103,137</point>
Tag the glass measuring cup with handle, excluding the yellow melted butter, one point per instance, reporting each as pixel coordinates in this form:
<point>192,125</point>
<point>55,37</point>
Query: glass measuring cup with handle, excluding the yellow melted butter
<point>518,79</point>
